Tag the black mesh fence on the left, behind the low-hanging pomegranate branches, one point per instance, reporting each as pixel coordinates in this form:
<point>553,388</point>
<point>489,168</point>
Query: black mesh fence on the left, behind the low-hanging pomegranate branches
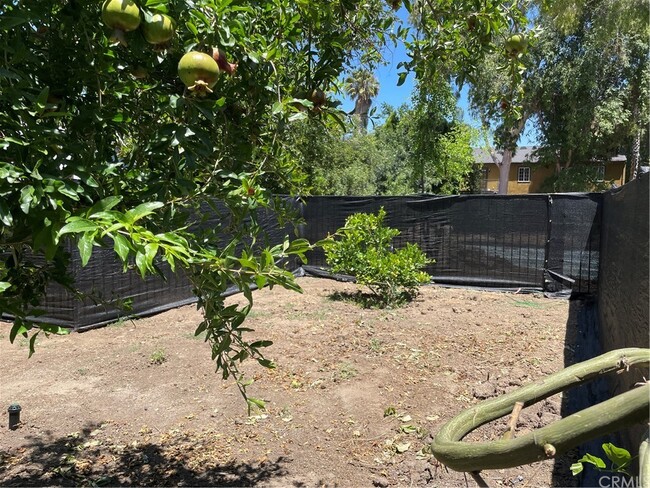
<point>107,293</point>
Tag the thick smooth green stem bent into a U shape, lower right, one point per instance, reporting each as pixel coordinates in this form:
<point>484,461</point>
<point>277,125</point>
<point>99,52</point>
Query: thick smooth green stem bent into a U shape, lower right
<point>606,417</point>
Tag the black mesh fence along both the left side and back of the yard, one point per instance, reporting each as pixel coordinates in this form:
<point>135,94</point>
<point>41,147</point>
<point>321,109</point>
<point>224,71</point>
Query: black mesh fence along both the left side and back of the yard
<point>538,242</point>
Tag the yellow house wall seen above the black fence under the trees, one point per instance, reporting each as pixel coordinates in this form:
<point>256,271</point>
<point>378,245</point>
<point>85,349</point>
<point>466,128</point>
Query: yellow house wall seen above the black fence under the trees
<point>613,172</point>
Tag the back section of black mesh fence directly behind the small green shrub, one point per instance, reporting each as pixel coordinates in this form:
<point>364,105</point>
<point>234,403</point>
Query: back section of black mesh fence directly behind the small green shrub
<point>543,242</point>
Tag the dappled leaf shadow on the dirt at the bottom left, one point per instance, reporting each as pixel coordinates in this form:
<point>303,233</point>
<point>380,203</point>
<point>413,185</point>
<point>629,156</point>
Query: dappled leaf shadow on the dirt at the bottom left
<point>90,458</point>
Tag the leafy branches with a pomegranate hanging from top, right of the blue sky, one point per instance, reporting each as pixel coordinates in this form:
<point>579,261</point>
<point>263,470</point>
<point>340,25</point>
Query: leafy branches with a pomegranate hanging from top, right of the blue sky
<point>452,39</point>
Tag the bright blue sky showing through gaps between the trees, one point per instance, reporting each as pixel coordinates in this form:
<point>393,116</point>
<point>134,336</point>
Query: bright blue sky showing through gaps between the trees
<point>395,95</point>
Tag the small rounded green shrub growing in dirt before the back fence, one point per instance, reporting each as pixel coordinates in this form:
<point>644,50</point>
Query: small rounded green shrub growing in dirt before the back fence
<point>363,248</point>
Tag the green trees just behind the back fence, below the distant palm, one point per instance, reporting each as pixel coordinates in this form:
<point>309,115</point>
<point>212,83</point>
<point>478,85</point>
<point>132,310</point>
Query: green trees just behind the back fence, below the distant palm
<point>419,148</point>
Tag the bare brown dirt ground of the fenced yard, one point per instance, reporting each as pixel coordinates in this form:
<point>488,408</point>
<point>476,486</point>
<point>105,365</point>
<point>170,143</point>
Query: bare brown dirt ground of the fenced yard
<point>138,402</point>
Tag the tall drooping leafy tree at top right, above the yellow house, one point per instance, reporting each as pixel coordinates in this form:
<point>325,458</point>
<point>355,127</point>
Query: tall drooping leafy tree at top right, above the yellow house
<point>594,89</point>
